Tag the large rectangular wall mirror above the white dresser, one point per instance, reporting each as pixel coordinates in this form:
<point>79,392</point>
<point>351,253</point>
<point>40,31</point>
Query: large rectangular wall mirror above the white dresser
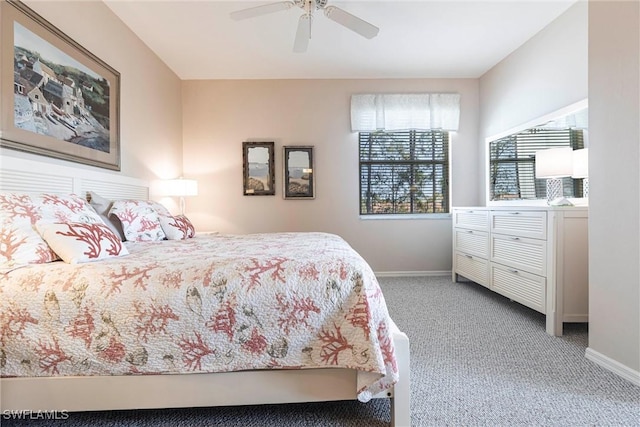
<point>512,160</point>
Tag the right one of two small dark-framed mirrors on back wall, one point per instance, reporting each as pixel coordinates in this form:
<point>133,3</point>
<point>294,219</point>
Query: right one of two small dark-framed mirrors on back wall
<point>298,173</point>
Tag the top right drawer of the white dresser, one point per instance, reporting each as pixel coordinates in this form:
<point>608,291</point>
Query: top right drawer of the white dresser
<point>531,224</point>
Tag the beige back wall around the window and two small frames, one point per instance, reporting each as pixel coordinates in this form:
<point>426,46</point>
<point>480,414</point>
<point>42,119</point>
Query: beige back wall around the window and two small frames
<point>219,115</point>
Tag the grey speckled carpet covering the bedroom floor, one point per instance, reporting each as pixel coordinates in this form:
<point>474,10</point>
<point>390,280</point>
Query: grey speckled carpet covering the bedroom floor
<point>477,359</point>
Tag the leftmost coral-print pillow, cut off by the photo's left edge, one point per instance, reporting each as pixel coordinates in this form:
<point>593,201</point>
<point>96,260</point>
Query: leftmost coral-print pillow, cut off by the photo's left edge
<point>19,242</point>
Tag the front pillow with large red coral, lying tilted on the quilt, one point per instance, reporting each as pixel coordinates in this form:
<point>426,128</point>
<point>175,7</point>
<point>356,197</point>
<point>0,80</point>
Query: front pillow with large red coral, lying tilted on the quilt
<point>77,242</point>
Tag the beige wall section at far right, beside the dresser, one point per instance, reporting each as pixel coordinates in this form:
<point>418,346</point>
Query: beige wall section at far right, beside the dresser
<point>614,181</point>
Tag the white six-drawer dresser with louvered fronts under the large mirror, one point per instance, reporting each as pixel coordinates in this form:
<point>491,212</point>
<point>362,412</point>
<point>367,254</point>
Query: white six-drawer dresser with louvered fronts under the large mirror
<point>536,256</point>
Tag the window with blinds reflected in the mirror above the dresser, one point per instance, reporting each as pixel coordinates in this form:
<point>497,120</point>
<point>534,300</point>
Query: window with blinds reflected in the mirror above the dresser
<point>512,163</point>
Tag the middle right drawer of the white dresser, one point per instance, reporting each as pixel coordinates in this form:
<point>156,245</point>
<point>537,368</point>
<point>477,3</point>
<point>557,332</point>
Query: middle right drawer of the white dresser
<point>520,253</point>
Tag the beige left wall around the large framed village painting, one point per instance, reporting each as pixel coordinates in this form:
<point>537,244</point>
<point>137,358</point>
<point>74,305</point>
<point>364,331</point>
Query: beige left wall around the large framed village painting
<point>150,98</point>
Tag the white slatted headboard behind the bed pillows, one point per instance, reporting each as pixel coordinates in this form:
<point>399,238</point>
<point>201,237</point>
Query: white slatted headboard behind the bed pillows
<point>30,176</point>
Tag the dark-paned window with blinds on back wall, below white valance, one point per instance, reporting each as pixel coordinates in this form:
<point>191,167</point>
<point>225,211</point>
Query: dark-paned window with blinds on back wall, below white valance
<point>404,172</point>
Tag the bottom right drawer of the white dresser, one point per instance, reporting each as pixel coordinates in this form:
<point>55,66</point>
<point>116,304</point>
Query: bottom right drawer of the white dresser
<point>527,289</point>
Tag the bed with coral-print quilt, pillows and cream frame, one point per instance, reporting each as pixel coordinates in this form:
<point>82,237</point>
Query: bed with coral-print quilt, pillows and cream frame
<point>95,306</point>
